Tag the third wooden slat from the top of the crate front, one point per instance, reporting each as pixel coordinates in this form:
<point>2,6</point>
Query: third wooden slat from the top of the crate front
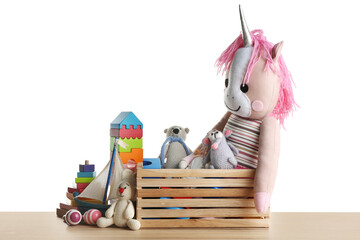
<point>228,192</point>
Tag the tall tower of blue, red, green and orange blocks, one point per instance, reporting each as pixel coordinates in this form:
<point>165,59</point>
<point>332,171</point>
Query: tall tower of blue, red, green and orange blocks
<point>129,129</point>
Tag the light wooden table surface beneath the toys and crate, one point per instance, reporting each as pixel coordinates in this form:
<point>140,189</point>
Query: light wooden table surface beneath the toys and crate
<point>45,225</point>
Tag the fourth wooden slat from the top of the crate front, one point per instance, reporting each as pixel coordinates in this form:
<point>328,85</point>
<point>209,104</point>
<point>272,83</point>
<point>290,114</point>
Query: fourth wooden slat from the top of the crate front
<point>224,202</point>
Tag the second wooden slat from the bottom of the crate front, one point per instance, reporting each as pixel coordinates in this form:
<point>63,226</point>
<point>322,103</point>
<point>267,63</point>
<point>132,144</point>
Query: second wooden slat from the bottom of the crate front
<point>203,212</point>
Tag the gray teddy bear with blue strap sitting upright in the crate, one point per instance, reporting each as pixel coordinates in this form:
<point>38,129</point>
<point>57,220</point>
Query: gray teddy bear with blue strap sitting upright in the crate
<point>175,151</point>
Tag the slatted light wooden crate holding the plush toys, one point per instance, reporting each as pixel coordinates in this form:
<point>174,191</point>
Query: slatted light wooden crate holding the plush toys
<point>211,198</point>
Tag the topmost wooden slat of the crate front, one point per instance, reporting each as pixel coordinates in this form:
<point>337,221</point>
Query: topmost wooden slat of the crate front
<point>246,173</point>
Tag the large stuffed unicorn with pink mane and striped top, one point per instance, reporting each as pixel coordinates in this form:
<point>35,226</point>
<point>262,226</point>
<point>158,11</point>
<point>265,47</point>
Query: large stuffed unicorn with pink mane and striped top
<point>258,96</point>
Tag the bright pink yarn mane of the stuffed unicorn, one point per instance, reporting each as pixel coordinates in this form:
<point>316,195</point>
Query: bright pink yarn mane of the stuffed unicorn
<point>262,48</point>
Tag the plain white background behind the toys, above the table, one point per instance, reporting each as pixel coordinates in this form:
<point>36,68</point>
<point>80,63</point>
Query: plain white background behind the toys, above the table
<point>68,68</point>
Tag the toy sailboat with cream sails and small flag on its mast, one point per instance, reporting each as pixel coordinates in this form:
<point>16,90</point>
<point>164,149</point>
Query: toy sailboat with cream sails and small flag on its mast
<point>97,190</point>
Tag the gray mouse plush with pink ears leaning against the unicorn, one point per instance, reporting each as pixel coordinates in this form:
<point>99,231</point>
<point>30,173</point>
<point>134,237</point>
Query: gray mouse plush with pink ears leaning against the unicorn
<point>222,153</point>
